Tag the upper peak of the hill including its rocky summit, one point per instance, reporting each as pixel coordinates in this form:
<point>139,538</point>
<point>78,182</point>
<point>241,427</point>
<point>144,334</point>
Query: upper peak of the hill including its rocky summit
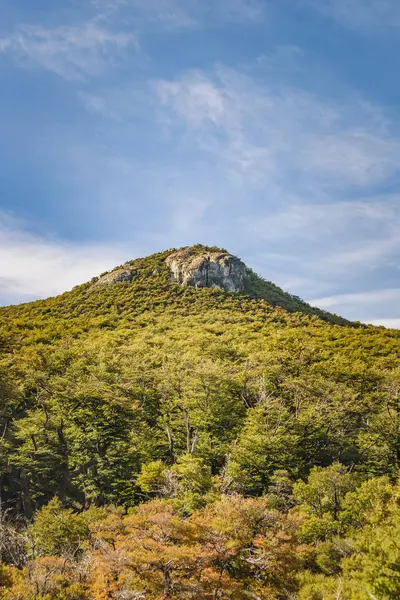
<point>155,282</point>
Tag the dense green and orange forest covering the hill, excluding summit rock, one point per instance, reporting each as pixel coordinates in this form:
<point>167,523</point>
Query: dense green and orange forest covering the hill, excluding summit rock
<point>160,441</point>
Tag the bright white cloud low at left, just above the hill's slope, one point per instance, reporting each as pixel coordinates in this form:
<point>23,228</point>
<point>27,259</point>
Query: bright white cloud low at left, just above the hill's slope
<point>33,267</point>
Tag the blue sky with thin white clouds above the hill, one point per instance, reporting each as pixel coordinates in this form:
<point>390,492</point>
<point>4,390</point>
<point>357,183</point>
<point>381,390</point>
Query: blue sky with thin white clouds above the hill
<point>267,127</point>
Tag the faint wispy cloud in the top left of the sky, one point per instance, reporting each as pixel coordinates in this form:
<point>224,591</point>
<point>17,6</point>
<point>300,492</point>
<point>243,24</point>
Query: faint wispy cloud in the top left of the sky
<point>70,52</point>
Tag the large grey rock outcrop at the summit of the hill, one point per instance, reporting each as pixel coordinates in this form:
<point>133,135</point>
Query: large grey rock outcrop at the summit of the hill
<point>209,269</point>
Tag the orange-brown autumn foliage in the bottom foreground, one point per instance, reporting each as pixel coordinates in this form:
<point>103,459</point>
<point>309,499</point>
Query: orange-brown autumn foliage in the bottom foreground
<point>235,548</point>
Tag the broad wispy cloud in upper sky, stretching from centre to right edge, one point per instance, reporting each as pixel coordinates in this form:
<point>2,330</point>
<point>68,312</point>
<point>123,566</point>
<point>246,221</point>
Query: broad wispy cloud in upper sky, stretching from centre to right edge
<point>270,133</point>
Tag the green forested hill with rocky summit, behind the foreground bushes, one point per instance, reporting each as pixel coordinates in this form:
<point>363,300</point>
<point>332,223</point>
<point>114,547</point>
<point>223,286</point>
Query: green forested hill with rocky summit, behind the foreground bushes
<point>144,364</point>
